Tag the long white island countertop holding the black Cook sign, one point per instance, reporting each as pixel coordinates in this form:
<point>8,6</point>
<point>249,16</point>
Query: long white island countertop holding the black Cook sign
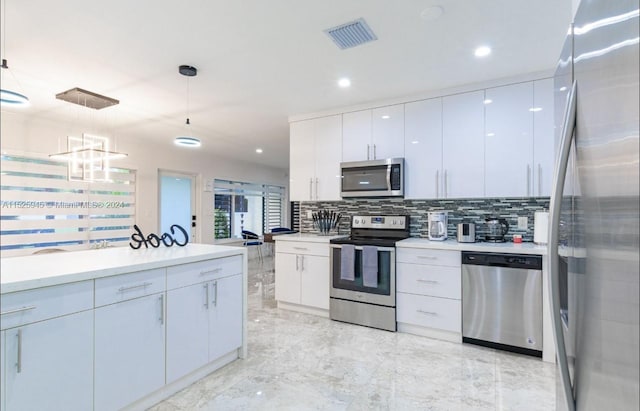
<point>34,271</point>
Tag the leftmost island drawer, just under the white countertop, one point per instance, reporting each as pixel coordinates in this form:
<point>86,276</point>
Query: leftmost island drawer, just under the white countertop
<point>39,304</point>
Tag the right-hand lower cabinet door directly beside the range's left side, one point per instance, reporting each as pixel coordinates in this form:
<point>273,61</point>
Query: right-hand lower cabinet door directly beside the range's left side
<point>314,281</point>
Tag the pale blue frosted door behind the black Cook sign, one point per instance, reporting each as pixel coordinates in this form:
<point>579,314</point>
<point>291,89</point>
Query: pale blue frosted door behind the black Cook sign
<point>177,202</point>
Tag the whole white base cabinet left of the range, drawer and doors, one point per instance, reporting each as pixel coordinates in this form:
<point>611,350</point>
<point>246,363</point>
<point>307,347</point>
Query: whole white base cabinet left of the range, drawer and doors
<point>302,274</point>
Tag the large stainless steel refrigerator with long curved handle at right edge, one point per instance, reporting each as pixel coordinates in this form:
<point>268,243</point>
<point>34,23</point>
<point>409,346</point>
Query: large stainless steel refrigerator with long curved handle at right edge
<point>594,213</point>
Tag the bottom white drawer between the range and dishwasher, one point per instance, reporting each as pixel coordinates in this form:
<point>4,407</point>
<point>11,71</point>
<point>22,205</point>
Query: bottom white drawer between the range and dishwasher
<point>432,312</point>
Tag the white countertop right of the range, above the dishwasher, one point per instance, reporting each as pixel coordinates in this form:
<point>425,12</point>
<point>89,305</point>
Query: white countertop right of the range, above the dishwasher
<point>523,248</point>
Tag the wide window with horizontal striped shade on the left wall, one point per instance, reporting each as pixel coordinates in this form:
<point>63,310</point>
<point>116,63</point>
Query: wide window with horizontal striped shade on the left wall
<point>40,208</point>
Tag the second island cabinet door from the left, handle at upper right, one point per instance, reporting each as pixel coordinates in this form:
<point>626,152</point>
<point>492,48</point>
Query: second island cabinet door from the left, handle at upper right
<point>129,351</point>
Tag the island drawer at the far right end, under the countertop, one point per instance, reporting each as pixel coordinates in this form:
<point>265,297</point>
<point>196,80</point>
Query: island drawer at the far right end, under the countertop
<point>194,273</point>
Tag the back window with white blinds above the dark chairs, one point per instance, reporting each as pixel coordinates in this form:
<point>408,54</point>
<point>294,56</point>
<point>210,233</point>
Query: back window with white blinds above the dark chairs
<point>246,206</point>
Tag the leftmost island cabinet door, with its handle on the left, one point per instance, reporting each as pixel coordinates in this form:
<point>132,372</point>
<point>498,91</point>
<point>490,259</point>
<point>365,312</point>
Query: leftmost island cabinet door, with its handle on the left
<point>49,364</point>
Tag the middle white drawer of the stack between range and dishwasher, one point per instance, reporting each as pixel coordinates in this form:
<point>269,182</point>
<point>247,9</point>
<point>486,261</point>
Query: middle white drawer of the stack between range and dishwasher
<point>436,281</point>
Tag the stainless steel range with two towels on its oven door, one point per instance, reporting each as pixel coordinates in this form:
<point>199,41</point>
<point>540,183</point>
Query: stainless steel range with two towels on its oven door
<point>363,271</point>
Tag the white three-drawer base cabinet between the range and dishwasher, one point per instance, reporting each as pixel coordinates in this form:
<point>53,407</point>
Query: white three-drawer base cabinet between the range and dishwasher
<point>429,292</point>
